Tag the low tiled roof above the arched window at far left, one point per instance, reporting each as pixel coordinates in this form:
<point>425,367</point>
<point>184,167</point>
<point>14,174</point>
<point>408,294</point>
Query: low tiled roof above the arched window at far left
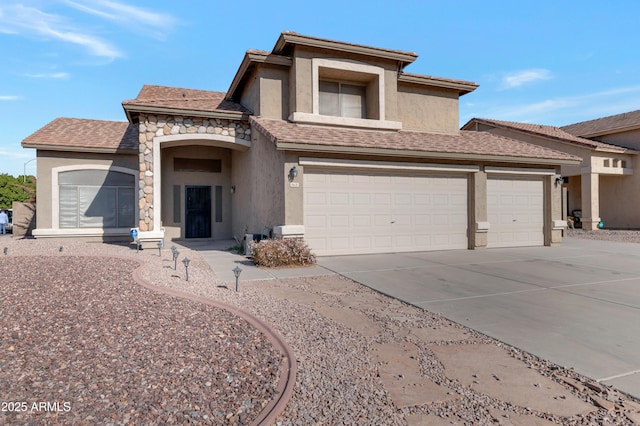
<point>71,134</point>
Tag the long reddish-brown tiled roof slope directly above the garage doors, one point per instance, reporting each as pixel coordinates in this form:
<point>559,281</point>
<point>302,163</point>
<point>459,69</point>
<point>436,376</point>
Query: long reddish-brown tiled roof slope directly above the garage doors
<point>466,145</point>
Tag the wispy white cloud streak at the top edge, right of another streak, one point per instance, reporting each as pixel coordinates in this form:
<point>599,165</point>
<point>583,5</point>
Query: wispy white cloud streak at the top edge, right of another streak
<point>132,17</point>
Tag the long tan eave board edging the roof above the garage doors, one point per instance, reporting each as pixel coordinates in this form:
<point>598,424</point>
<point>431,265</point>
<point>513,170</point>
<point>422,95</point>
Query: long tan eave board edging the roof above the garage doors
<point>294,146</point>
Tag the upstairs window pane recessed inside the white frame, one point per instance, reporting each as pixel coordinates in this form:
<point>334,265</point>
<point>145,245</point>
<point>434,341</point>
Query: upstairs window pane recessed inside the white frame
<point>342,99</point>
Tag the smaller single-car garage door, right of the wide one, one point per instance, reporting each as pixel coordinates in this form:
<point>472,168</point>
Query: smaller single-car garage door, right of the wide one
<point>515,208</point>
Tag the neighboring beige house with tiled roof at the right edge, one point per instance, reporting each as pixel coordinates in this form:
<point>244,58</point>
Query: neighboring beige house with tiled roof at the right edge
<point>604,187</point>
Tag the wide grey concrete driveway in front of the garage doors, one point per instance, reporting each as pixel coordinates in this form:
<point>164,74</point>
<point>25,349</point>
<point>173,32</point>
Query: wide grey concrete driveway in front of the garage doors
<point>577,305</point>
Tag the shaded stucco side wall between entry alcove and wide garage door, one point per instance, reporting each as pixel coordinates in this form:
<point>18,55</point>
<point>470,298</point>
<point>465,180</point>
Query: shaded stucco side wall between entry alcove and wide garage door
<point>257,174</point>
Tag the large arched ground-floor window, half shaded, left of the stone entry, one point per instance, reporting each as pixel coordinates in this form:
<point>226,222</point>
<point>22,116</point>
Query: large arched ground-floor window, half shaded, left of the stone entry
<point>96,199</point>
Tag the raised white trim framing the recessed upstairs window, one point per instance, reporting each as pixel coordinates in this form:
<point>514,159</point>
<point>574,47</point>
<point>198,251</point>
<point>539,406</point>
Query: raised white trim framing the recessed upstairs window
<point>316,118</point>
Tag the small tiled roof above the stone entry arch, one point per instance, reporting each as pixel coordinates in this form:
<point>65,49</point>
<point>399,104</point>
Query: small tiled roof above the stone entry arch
<point>183,99</point>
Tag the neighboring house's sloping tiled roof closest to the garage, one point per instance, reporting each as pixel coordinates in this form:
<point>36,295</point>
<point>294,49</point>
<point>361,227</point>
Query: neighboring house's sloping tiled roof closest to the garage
<point>550,132</point>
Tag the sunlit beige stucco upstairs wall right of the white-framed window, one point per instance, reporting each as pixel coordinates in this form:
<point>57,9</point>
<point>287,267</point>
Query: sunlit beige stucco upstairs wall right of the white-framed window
<point>426,109</point>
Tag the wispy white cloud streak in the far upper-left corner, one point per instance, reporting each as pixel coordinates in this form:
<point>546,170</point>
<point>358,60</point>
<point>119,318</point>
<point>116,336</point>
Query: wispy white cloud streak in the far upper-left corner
<point>29,21</point>
